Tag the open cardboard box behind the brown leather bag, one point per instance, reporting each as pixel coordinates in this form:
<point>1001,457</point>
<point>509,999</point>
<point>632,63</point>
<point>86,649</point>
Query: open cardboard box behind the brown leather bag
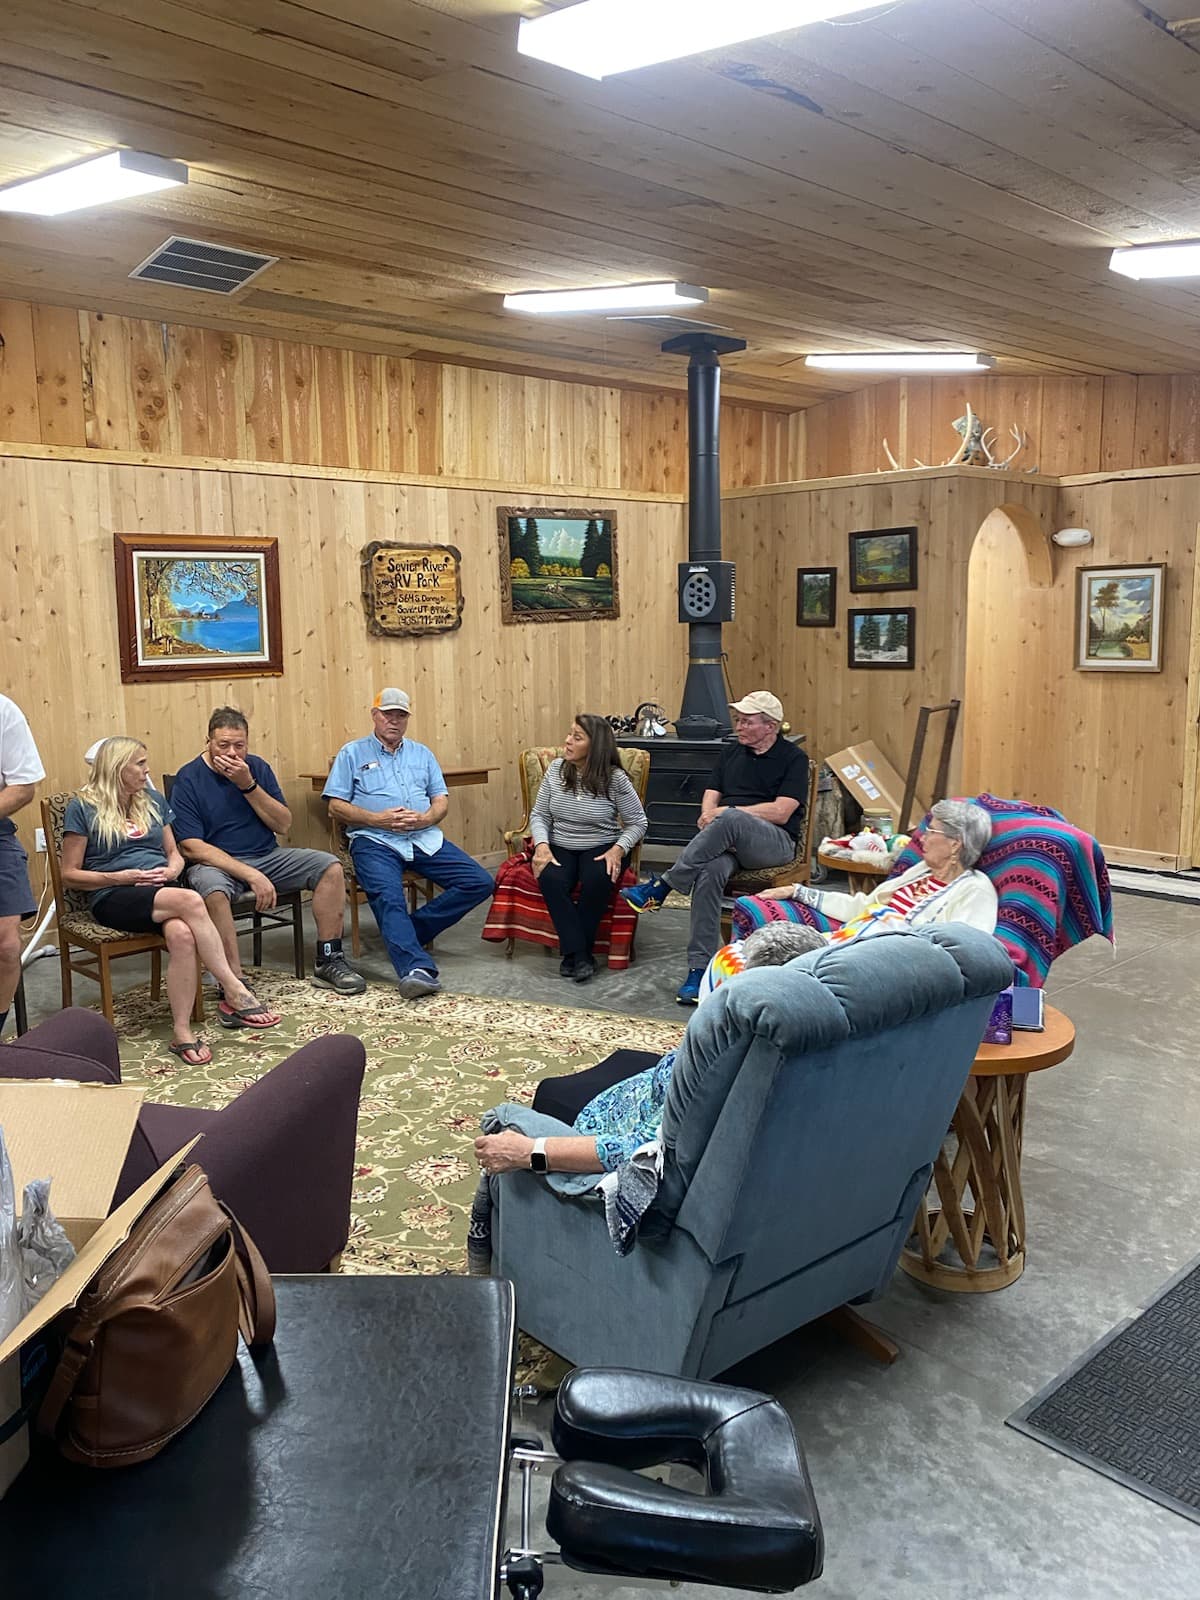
<point>78,1135</point>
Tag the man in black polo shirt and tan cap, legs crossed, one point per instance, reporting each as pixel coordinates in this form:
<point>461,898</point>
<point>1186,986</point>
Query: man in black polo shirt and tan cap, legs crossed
<point>751,817</point>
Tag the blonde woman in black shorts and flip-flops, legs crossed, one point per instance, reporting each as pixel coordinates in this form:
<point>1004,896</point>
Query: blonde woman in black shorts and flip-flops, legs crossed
<point>118,846</point>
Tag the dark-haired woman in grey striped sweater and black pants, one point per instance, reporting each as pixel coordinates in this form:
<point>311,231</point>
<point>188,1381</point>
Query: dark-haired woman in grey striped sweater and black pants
<point>585,823</point>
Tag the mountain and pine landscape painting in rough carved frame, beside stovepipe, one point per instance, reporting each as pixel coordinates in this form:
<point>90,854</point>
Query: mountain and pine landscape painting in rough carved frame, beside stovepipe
<point>558,566</point>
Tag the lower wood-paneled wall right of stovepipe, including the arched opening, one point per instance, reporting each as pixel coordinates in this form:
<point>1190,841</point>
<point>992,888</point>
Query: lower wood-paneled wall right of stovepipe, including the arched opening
<point>1111,753</point>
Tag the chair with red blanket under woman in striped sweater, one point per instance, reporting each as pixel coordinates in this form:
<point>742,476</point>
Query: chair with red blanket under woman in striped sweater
<point>519,911</point>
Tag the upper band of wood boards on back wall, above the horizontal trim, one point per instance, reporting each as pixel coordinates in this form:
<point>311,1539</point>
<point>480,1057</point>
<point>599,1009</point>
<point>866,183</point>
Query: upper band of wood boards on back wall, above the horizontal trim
<point>116,383</point>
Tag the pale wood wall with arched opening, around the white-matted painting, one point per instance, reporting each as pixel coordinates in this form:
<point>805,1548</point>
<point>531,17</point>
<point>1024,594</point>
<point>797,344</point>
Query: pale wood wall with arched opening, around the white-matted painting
<point>1114,751</point>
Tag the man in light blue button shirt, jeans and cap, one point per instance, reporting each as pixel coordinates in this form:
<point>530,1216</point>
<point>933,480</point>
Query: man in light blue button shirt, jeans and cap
<point>390,796</point>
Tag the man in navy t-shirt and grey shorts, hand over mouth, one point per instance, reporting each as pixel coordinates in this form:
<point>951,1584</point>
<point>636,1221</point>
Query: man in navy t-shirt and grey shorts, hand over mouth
<point>228,810</point>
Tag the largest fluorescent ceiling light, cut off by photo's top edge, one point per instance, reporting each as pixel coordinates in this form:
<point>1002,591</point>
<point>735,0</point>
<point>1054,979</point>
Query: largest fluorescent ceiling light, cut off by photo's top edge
<point>599,38</point>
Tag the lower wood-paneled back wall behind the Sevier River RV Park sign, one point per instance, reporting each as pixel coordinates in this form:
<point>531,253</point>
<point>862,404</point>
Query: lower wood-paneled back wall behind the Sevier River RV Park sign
<point>479,694</point>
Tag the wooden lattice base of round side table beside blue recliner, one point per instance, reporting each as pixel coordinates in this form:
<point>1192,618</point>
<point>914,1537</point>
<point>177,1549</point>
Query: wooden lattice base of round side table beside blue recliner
<point>988,1124</point>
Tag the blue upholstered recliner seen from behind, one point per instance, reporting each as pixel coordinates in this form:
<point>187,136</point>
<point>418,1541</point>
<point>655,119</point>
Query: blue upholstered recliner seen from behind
<point>801,1129</point>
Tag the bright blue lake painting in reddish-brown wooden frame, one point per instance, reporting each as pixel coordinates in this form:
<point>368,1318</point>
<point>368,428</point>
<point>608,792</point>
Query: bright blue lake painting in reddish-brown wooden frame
<point>191,607</point>
